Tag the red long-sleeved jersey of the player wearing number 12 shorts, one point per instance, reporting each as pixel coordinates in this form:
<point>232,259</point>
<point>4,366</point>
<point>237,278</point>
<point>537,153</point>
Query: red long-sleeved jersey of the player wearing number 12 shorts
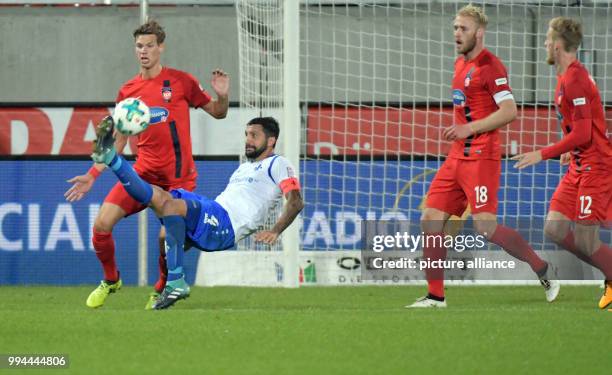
<point>579,104</point>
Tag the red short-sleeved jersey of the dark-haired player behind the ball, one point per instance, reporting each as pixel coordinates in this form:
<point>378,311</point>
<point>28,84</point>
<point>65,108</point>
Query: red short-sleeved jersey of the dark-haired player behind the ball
<point>164,149</point>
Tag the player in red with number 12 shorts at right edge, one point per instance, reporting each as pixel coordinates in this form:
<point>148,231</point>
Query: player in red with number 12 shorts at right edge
<point>584,195</point>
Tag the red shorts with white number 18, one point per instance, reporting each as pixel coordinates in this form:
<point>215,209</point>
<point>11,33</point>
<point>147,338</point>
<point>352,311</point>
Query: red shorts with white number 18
<point>461,182</point>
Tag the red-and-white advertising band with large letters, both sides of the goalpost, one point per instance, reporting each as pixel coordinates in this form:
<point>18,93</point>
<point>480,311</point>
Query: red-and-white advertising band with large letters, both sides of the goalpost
<point>371,131</point>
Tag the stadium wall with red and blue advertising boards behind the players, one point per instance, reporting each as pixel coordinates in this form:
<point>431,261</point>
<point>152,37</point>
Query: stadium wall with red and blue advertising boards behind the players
<point>63,65</point>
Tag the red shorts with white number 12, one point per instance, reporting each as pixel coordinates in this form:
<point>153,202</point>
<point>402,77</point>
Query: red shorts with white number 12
<point>584,197</point>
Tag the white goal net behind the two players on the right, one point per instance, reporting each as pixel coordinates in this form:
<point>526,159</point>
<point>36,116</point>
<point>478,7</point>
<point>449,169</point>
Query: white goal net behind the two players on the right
<point>375,91</point>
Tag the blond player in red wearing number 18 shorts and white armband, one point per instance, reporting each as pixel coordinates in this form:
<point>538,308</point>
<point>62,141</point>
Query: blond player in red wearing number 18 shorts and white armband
<point>483,102</point>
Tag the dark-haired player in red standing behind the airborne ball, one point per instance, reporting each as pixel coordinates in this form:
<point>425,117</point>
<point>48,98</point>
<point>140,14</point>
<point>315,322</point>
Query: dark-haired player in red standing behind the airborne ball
<point>164,149</point>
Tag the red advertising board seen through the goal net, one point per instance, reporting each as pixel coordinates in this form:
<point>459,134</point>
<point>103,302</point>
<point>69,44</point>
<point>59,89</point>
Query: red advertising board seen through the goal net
<point>402,131</point>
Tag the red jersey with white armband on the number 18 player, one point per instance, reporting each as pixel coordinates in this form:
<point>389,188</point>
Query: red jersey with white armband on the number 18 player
<point>478,86</point>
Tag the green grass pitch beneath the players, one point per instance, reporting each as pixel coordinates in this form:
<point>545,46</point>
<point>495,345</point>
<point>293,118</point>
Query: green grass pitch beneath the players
<point>359,330</point>
